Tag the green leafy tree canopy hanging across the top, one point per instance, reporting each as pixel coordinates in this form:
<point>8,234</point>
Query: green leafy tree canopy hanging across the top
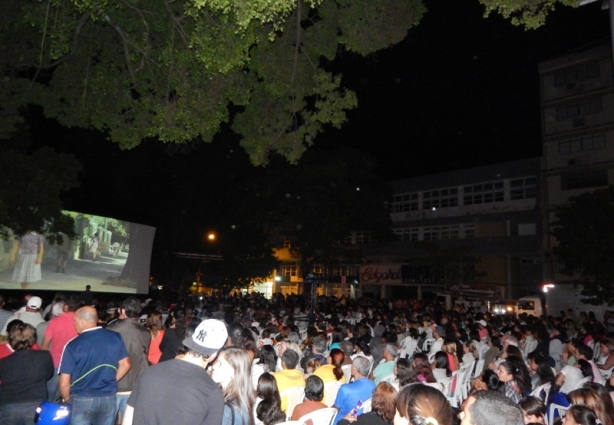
<point>176,70</point>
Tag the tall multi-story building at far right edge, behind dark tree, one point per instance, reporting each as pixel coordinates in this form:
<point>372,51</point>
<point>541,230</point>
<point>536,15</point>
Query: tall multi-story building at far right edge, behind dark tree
<point>577,104</point>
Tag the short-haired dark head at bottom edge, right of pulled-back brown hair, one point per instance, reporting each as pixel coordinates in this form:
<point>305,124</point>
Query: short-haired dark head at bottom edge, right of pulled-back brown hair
<point>490,408</point>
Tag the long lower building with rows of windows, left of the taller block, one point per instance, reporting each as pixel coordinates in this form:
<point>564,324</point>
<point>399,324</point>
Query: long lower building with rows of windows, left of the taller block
<point>490,213</point>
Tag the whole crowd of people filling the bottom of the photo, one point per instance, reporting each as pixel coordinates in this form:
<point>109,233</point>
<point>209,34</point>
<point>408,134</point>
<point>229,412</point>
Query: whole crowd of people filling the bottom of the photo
<point>246,360</point>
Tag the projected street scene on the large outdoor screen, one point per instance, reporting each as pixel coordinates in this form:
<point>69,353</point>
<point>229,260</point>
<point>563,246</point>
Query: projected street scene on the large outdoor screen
<point>108,254</point>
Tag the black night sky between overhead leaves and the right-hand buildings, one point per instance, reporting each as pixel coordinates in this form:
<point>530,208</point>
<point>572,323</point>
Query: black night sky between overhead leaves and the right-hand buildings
<point>460,90</point>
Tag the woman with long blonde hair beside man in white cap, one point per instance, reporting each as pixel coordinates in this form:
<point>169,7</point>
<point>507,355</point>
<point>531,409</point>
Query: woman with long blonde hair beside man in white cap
<point>232,371</point>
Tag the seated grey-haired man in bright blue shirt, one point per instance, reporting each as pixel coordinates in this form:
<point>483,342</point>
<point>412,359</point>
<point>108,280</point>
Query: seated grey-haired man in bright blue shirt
<point>360,390</point>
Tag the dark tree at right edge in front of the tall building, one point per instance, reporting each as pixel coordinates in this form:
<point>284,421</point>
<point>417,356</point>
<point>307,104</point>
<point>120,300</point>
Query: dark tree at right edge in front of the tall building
<point>584,230</point>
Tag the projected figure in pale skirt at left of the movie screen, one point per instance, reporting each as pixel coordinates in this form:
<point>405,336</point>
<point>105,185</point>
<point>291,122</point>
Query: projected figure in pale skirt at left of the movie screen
<point>27,255</point>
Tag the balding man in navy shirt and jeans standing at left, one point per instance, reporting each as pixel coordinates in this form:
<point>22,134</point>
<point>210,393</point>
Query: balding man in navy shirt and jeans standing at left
<point>90,367</point>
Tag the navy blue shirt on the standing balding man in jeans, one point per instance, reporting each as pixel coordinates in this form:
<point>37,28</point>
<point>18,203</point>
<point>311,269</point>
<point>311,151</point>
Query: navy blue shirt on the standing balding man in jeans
<point>91,360</point>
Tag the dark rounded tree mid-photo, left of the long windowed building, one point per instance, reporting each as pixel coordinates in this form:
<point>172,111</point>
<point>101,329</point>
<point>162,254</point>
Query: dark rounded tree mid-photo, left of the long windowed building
<point>319,204</point>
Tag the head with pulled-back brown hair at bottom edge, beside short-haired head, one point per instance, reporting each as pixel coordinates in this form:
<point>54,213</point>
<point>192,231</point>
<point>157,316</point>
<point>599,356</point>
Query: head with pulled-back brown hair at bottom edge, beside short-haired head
<point>420,404</point>
